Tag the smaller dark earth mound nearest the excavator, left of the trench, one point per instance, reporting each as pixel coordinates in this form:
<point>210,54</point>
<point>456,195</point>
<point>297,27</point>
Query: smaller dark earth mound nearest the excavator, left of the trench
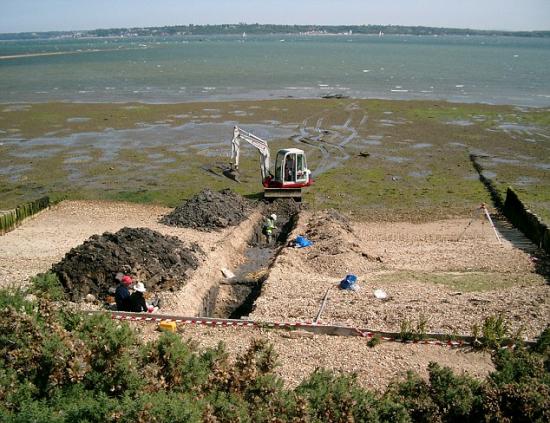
<point>209,210</point>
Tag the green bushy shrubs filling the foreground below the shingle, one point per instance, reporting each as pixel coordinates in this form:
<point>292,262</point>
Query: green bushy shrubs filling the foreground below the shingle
<point>60,366</point>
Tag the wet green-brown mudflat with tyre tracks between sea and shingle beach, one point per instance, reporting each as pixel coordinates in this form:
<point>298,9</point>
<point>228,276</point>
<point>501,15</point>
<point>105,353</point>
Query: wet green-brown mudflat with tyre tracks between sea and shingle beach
<point>377,159</point>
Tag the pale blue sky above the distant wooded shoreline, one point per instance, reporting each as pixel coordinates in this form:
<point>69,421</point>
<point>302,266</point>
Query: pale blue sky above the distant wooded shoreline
<point>61,15</point>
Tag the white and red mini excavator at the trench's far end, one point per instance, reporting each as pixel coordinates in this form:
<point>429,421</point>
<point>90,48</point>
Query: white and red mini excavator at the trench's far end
<point>291,172</point>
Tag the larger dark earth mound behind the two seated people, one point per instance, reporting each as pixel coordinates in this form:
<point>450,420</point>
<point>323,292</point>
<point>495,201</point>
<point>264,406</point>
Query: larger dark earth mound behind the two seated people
<point>161,262</point>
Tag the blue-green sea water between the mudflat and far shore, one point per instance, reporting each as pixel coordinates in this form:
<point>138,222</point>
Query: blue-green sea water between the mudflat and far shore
<point>499,70</point>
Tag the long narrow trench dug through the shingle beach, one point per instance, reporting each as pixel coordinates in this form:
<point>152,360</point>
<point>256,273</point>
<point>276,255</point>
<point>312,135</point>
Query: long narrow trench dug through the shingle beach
<point>234,297</point>
